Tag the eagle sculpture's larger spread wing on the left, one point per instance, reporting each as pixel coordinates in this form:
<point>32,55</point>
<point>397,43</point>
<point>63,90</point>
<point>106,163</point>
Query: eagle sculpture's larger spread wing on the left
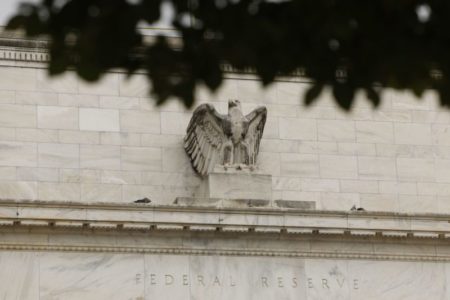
<point>204,138</point>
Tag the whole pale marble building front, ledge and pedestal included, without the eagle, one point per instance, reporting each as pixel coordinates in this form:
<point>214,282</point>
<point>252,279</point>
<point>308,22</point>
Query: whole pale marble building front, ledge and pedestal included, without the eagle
<point>74,157</point>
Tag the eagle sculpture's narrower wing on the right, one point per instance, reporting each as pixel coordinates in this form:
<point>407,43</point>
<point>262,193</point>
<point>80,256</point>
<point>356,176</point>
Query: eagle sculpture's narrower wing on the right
<point>257,120</point>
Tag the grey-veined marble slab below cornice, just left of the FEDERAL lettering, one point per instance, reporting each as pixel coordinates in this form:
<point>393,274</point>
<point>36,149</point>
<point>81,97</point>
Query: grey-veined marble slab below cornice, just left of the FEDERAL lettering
<point>91,276</point>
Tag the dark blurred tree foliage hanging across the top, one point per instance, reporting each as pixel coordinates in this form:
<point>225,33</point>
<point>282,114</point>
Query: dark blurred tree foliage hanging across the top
<point>348,45</point>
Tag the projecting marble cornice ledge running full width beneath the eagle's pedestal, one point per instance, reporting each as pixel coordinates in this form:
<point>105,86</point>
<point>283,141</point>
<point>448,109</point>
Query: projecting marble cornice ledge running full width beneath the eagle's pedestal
<point>222,216</point>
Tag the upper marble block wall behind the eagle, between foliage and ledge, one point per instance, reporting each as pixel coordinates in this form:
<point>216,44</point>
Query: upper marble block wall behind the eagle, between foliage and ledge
<point>73,139</point>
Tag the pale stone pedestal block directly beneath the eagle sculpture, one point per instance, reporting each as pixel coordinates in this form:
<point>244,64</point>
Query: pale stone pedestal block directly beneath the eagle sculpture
<point>231,183</point>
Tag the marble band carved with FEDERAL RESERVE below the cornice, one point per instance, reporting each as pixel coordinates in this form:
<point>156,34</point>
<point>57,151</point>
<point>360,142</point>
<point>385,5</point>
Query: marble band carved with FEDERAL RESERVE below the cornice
<point>141,276</point>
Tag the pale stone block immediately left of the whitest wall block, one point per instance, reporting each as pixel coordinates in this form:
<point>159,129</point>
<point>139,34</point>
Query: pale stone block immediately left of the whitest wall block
<point>55,117</point>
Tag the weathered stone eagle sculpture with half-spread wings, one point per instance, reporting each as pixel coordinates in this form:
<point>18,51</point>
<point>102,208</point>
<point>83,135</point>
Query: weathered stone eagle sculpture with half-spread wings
<point>230,140</point>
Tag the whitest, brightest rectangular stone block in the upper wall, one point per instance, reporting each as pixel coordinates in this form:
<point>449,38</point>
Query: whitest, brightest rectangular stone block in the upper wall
<point>95,119</point>
